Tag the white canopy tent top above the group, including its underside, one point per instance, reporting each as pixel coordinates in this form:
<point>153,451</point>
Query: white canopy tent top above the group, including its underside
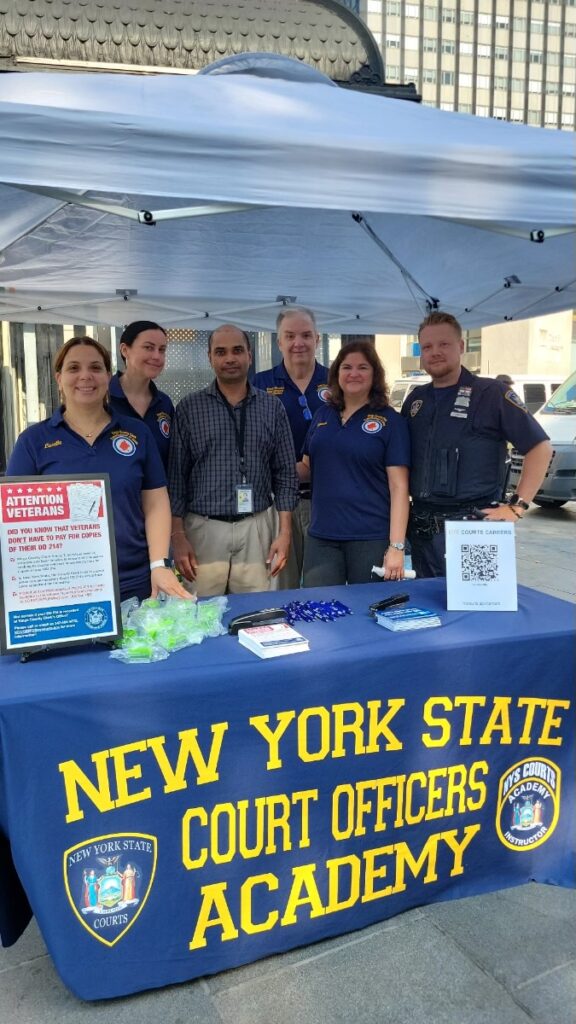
<point>451,201</point>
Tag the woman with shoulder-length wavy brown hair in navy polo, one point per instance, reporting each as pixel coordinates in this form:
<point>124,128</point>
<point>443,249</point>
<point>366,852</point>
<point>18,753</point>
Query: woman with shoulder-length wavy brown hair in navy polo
<point>358,450</point>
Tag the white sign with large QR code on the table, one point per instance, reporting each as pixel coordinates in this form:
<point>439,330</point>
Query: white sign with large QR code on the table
<point>481,567</point>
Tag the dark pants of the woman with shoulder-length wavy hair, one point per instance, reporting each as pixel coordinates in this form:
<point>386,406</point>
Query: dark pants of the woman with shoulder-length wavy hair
<point>331,564</point>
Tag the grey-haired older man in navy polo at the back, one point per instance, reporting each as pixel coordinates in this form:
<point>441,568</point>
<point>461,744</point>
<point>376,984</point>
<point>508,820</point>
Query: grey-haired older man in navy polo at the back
<point>302,385</point>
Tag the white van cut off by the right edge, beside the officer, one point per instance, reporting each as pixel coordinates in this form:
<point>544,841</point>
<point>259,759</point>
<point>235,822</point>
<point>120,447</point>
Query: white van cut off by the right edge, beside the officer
<point>558,417</point>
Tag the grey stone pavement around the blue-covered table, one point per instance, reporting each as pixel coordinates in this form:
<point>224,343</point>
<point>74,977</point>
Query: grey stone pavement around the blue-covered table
<point>506,958</point>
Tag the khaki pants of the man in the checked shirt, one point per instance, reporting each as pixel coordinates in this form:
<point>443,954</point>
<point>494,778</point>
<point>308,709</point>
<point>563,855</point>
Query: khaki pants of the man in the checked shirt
<point>231,556</point>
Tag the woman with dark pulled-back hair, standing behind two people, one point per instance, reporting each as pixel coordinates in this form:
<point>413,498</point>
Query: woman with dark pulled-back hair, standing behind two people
<point>143,348</point>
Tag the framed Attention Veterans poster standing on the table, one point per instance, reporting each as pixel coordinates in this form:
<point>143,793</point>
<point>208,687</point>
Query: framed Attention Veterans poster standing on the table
<point>59,578</point>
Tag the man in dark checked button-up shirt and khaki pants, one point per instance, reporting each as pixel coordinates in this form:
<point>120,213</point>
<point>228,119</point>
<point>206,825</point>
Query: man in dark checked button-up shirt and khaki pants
<point>232,454</point>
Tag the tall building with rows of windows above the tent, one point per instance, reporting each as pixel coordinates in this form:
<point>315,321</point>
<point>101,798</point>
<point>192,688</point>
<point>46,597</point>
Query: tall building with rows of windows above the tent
<point>513,60</point>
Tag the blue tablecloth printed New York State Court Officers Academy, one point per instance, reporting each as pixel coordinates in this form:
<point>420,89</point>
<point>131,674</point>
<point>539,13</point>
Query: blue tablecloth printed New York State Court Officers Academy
<point>177,820</point>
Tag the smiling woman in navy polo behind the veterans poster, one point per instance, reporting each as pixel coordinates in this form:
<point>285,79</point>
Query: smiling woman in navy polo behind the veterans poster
<point>86,436</point>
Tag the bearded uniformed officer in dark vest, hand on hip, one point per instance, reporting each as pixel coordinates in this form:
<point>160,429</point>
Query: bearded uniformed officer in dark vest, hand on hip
<point>460,425</point>
